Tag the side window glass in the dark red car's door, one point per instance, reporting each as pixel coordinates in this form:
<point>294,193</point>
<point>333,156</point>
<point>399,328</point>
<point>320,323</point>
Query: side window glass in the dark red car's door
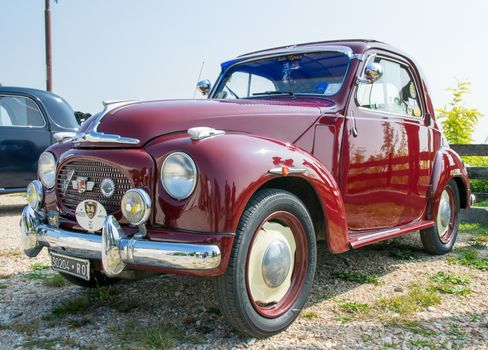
<point>394,93</point>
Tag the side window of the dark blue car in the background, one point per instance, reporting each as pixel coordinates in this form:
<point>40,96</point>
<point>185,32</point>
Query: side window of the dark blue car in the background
<point>19,111</point>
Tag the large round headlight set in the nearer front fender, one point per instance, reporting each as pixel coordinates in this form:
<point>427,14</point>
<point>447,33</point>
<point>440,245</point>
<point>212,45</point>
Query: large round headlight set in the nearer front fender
<point>179,175</point>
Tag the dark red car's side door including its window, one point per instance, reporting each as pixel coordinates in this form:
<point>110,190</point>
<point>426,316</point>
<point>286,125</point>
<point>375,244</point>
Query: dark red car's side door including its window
<point>385,167</point>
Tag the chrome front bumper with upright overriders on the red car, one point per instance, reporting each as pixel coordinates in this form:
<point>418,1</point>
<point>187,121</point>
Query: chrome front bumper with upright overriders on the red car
<point>114,248</point>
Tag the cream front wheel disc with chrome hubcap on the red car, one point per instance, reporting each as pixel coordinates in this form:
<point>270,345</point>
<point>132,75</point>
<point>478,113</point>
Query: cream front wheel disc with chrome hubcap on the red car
<point>270,263</point>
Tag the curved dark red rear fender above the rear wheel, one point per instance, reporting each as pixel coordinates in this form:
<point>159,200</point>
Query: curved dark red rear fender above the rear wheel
<point>448,165</point>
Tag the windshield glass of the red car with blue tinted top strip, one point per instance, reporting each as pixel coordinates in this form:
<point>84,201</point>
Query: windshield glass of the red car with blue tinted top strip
<point>317,74</point>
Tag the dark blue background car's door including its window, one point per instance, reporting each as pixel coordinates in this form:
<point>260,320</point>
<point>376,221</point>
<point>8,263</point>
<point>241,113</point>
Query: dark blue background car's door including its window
<point>24,134</point>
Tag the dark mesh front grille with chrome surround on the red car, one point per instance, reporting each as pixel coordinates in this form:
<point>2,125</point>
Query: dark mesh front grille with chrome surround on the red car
<point>96,172</point>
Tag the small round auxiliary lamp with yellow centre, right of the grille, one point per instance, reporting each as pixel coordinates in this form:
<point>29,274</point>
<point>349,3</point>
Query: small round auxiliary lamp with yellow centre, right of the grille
<point>136,206</point>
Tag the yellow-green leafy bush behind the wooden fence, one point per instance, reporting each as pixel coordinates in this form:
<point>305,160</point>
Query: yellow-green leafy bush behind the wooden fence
<point>459,121</point>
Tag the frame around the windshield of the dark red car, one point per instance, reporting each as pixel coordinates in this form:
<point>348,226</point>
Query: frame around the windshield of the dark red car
<point>290,51</point>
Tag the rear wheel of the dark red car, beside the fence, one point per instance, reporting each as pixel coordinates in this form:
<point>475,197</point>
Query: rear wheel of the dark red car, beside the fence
<point>440,238</point>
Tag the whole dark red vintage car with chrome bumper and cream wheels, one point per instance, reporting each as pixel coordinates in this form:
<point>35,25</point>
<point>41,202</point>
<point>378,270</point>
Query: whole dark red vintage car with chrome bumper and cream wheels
<point>332,140</point>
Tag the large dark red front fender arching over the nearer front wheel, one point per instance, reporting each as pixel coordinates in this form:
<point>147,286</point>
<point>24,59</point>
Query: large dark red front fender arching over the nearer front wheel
<point>231,168</point>
